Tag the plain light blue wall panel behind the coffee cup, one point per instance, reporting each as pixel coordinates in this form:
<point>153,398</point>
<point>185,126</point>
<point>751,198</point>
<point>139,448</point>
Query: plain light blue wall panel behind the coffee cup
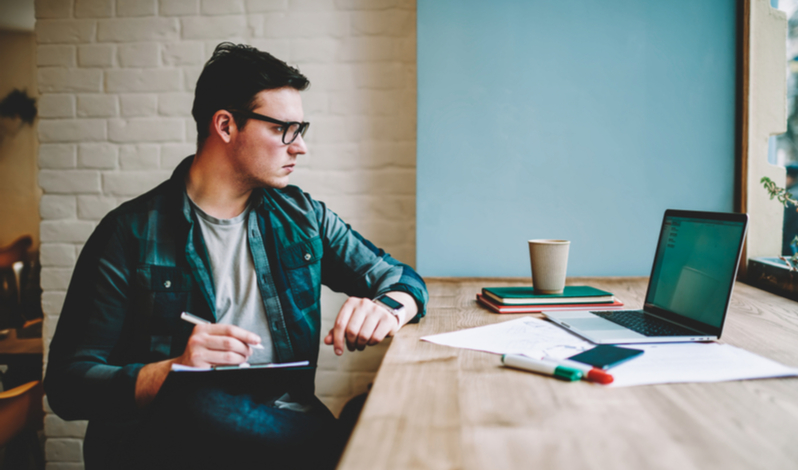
<point>581,120</point>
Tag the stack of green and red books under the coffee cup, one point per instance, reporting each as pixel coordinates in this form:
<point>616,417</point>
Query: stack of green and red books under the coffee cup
<point>524,300</point>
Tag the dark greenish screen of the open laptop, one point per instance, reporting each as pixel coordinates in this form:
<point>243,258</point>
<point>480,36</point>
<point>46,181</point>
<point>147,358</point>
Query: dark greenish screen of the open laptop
<point>695,266</point>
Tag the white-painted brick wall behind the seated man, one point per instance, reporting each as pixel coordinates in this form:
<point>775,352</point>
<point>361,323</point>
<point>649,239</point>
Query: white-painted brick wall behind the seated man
<point>116,80</point>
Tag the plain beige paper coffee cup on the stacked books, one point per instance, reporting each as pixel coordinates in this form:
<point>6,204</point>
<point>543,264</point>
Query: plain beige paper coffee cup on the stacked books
<point>549,265</point>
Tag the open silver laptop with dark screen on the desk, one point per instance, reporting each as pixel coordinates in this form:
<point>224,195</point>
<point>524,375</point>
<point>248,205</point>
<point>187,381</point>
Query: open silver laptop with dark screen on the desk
<point>689,290</point>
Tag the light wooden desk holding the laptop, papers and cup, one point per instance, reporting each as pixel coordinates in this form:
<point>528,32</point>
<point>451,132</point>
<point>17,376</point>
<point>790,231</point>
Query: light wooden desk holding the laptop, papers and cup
<point>445,408</point>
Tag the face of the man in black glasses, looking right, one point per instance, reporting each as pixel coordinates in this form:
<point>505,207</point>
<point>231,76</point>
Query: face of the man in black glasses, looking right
<point>259,154</point>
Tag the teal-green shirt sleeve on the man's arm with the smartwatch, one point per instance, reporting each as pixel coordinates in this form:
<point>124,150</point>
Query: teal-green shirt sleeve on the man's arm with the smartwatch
<point>353,265</point>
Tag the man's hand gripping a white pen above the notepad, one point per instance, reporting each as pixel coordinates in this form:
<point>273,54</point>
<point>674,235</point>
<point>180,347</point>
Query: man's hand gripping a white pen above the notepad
<point>215,344</point>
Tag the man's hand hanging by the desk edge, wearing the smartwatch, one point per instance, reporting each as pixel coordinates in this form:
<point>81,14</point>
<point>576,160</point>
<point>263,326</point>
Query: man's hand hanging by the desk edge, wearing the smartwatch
<point>362,322</point>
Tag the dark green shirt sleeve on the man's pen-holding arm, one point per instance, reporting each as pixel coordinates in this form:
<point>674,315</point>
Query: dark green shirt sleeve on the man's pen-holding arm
<point>87,377</point>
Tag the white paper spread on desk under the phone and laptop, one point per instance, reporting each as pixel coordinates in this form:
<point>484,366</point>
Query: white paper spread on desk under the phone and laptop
<point>661,363</point>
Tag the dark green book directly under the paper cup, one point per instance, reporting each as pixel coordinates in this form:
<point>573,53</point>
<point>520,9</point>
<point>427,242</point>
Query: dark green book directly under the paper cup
<point>526,296</point>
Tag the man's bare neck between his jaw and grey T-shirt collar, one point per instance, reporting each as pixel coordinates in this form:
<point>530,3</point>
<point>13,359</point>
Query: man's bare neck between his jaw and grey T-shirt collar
<point>212,186</point>
